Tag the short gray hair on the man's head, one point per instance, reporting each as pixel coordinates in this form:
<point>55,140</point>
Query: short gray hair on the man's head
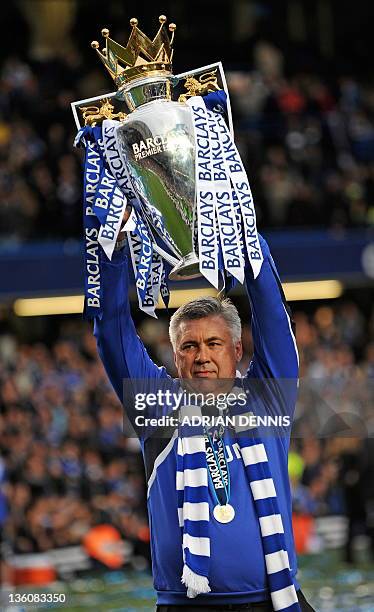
<point>206,307</point>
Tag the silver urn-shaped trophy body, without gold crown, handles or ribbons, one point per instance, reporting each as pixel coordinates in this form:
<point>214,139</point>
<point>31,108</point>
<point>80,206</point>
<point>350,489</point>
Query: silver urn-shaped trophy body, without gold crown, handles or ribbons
<point>156,141</point>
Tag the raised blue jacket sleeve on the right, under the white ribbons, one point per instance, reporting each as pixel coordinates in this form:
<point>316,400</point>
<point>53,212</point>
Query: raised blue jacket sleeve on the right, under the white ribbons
<point>275,352</point>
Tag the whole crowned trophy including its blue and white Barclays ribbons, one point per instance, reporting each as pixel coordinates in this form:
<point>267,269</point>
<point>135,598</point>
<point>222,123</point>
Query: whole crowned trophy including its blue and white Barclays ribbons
<point>162,144</point>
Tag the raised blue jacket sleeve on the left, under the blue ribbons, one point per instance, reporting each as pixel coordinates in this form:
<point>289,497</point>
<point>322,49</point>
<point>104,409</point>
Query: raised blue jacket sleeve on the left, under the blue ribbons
<point>120,348</point>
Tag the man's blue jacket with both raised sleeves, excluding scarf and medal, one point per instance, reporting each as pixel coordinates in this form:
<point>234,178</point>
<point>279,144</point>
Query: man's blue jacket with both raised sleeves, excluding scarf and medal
<point>238,573</point>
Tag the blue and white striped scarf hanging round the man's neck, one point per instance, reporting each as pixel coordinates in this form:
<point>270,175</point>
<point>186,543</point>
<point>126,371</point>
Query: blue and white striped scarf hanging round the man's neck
<point>193,512</point>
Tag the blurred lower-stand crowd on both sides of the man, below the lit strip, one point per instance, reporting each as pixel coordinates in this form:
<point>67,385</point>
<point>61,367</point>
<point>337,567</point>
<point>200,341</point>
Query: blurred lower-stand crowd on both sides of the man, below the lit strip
<point>68,466</point>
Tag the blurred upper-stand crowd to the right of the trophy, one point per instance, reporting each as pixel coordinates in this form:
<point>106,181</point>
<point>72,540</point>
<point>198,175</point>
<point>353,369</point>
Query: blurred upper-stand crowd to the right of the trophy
<point>308,145</point>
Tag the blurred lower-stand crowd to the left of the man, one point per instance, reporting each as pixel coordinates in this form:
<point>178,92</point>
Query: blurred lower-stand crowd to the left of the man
<point>68,465</point>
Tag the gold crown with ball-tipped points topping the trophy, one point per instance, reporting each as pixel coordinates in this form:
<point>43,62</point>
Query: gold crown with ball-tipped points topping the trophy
<point>141,57</point>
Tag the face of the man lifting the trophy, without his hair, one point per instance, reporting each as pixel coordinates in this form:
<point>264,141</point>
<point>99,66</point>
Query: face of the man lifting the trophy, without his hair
<point>205,352</point>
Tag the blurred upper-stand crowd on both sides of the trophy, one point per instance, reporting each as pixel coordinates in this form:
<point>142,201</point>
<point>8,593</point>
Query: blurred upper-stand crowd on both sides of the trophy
<point>308,144</point>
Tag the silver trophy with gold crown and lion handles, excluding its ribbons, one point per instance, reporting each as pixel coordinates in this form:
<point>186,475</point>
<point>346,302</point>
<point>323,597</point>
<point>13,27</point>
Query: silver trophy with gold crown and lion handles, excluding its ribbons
<point>155,135</point>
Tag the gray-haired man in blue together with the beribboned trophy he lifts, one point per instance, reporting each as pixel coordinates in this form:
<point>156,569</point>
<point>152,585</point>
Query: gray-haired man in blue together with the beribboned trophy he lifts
<point>166,190</point>
